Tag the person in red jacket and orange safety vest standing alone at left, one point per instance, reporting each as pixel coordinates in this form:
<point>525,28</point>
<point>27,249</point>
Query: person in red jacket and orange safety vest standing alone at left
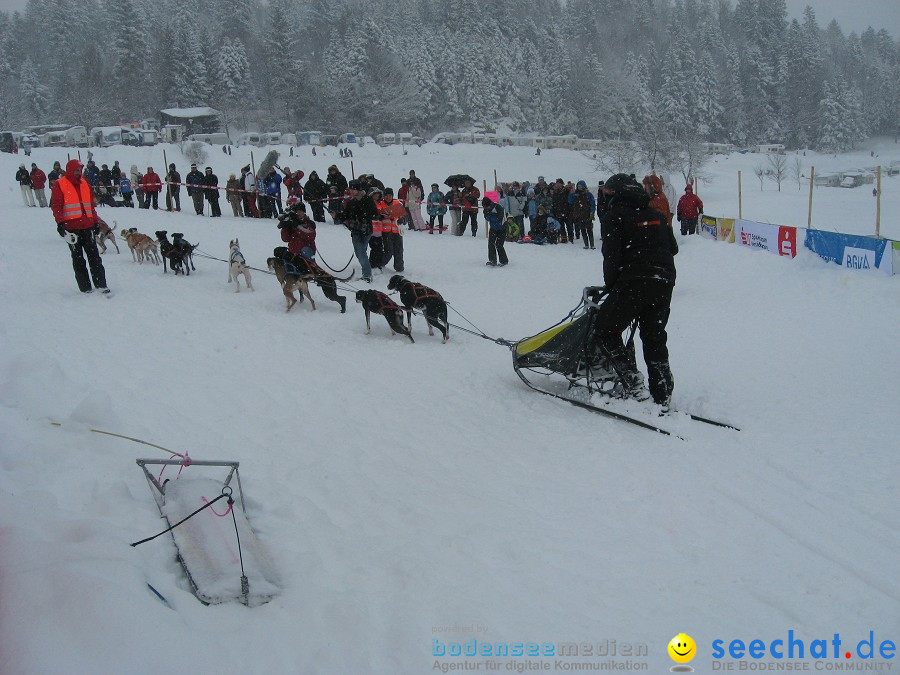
<point>76,218</point>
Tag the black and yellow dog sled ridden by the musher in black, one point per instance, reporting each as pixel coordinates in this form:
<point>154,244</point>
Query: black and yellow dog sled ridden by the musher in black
<point>565,362</point>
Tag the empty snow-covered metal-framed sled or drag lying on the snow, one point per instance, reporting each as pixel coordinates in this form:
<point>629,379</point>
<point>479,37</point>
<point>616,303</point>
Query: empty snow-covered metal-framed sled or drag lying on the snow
<point>214,556</point>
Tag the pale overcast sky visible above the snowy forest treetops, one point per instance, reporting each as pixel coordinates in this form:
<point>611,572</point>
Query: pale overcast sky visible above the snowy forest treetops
<point>852,15</point>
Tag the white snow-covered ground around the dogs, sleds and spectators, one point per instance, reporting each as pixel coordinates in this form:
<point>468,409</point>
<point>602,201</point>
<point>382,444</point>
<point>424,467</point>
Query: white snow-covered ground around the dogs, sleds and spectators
<point>408,493</point>
